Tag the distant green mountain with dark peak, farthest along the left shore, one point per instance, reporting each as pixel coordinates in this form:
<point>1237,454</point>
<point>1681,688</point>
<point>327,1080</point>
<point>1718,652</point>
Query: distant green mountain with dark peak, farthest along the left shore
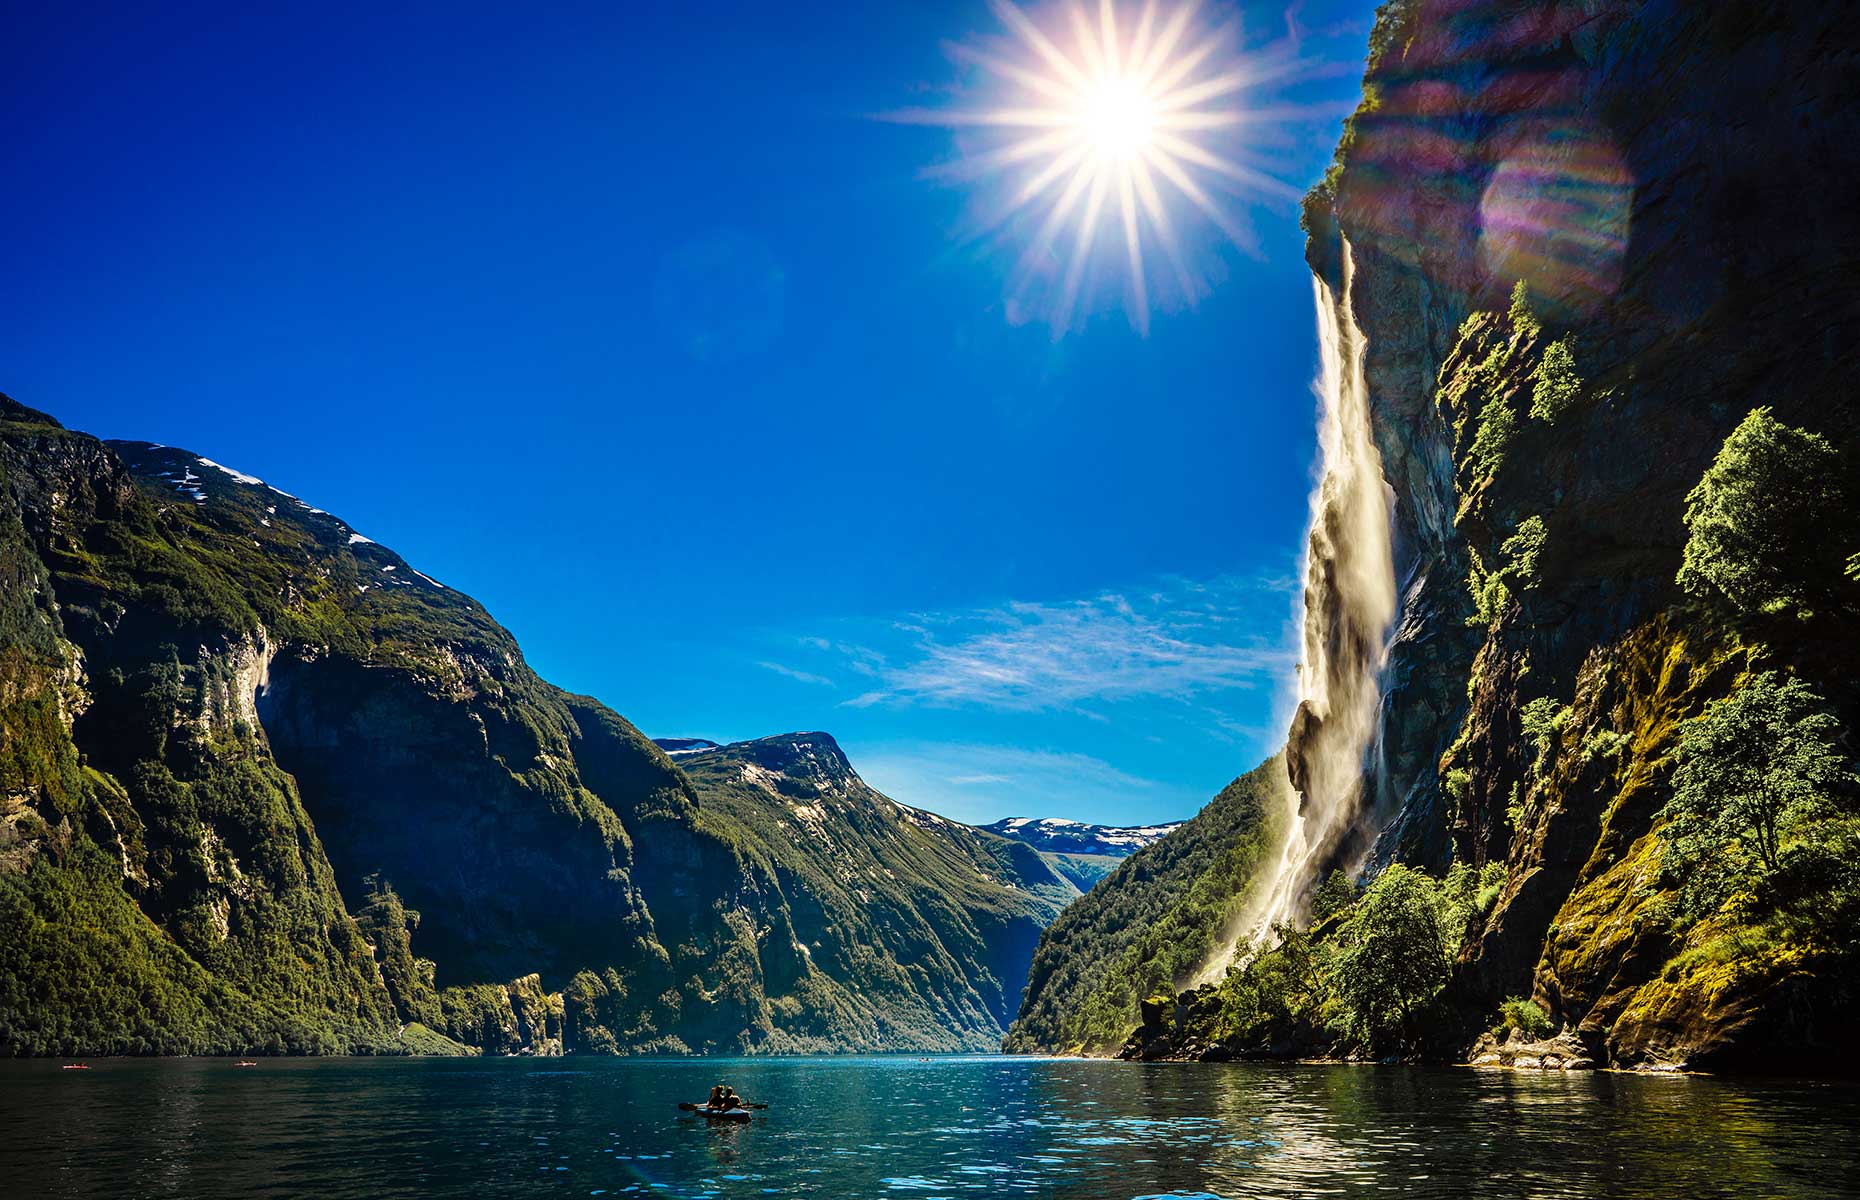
<point>918,929</point>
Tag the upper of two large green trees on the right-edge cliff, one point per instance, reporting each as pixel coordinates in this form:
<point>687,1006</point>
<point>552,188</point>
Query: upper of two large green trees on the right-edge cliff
<point>1766,520</point>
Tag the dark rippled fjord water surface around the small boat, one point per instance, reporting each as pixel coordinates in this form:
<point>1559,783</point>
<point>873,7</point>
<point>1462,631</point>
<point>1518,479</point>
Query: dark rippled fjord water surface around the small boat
<point>909,1130</point>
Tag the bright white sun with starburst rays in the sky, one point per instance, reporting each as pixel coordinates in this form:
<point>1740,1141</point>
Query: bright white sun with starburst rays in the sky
<point>1119,137</point>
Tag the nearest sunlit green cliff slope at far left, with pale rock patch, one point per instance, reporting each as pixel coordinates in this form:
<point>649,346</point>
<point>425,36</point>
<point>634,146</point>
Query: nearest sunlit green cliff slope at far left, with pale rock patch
<point>165,887</point>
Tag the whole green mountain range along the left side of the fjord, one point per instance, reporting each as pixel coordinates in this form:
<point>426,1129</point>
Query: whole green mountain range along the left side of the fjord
<point>269,788</point>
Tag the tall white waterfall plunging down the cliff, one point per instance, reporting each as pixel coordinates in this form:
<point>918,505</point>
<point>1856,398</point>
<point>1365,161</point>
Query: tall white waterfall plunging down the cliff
<point>1349,609</point>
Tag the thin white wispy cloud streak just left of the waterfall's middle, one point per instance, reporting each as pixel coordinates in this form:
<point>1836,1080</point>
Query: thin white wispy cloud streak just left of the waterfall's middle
<point>1176,641</point>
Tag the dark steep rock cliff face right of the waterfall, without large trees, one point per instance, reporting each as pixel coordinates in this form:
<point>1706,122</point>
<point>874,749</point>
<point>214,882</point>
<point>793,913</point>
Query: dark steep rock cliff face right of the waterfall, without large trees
<point>1669,185</point>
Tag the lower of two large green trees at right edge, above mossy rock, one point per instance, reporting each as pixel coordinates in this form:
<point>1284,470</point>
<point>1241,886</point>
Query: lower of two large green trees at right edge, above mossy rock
<point>1757,773</point>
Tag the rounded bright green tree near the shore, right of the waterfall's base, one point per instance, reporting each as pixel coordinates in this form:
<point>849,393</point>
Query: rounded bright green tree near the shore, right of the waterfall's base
<point>1392,955</point>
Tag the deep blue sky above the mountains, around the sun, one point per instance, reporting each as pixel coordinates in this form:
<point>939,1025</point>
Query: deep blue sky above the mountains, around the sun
<point>643,328</point>
